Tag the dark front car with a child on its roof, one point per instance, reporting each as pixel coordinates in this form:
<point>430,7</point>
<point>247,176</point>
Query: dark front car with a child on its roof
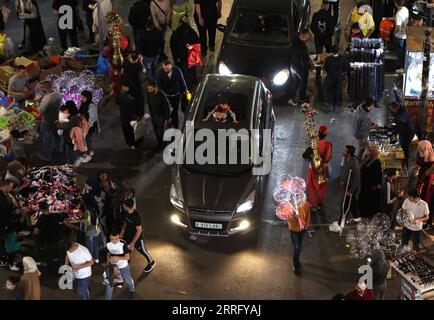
<point>216,191</point>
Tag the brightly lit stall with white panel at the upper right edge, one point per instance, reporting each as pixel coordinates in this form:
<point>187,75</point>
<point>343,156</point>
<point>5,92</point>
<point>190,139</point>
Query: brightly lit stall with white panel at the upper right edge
<point>413,76</point>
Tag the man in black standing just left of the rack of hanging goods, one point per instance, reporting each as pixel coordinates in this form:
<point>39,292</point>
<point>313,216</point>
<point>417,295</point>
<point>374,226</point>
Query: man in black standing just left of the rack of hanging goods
<point>336,66</point>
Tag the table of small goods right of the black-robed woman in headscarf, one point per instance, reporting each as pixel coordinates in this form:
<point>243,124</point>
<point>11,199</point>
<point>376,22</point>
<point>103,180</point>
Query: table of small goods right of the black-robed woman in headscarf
<point>391,154</point>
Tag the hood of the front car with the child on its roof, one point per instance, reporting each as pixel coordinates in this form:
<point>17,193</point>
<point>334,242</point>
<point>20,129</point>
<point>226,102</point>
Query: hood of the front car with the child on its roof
<point>215,192</point>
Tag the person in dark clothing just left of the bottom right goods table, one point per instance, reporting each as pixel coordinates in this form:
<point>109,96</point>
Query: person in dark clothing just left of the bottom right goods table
<point>380,267</point>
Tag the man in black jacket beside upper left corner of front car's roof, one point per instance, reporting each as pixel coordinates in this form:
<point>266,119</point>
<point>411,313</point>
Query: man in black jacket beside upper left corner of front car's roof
<point>170,81</point>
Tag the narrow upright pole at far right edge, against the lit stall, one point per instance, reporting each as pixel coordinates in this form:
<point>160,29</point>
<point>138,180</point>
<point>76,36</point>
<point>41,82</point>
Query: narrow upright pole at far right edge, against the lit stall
<point>425,70</point>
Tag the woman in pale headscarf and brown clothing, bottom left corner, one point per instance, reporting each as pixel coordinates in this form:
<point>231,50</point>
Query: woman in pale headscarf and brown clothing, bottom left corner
<point>29,282</point>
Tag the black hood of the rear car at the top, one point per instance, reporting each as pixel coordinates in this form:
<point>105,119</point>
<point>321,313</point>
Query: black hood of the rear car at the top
<point>259,61</point>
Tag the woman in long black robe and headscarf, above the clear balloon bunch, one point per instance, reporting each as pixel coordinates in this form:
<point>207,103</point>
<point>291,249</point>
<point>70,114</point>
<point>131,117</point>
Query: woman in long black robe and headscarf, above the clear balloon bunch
<point>371,176</point>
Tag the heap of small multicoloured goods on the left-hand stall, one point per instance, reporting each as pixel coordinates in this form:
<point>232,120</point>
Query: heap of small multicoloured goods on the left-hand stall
<point>56,186</point>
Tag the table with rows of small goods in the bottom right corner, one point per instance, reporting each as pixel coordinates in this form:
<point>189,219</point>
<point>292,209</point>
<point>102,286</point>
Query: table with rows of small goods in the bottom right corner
<point>417,276</point>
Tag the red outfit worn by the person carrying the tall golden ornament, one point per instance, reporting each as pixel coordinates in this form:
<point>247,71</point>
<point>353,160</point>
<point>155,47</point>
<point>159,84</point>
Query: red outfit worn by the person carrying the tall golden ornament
<point>316,191</point>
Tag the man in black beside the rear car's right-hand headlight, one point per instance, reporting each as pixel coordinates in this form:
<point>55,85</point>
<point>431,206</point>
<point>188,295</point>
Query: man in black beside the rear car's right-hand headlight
<point>300,65</point>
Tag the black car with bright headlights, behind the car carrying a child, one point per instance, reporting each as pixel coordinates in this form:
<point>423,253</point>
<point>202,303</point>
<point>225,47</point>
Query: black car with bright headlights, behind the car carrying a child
<point>258,37</point>
